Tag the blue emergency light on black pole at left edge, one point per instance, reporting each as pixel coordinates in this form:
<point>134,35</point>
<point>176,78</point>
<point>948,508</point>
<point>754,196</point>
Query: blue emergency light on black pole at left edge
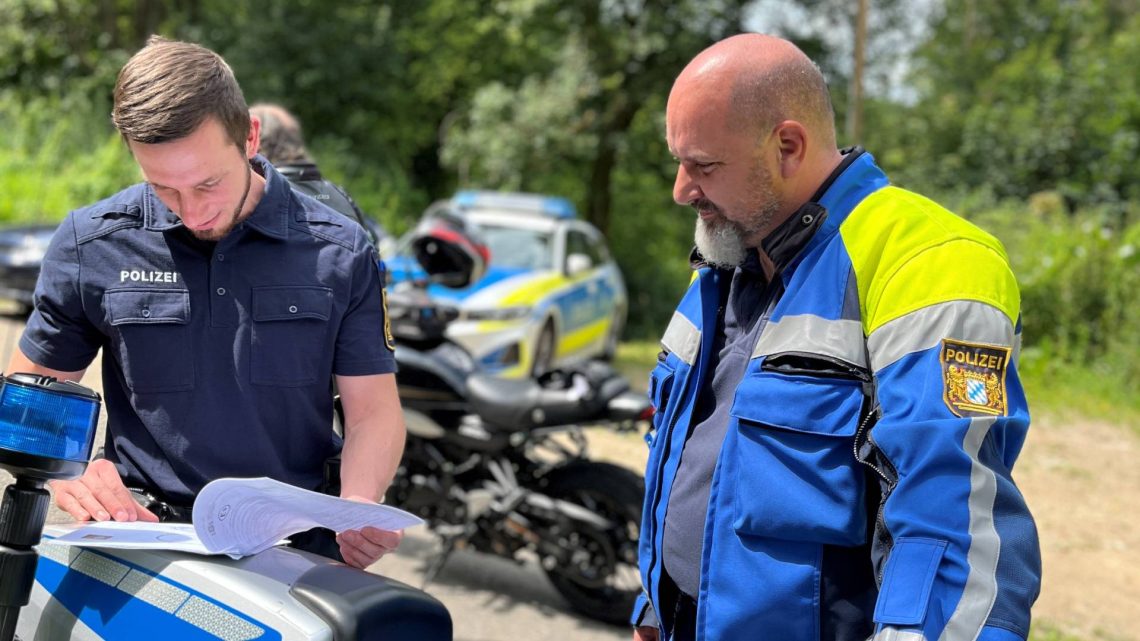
<point>47,429</point>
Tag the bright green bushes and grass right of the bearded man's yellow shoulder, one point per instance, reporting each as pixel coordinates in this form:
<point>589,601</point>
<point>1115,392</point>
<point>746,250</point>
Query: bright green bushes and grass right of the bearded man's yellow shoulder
<point>1081,320</point>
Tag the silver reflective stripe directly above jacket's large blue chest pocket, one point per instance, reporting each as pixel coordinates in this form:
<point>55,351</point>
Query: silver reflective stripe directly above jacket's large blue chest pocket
<point>815,335</point>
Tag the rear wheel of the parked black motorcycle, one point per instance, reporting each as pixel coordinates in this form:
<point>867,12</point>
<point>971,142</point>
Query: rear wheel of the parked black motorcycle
<point>601,579</point>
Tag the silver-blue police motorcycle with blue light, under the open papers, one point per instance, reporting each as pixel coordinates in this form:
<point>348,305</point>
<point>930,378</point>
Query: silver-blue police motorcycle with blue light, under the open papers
<point>51,591</point>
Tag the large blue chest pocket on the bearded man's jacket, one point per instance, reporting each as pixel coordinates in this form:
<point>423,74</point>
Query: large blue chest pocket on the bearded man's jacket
<point>797,477</point>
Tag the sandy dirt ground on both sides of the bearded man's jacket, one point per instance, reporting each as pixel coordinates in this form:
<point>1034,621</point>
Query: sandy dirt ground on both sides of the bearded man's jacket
<point>1082,482</point>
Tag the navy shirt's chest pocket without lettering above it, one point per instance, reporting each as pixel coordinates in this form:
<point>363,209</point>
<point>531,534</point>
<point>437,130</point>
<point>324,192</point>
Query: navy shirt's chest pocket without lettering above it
<point>290,336</point>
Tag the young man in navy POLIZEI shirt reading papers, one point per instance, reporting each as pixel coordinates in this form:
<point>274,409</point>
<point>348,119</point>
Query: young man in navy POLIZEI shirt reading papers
<point>225,306</point>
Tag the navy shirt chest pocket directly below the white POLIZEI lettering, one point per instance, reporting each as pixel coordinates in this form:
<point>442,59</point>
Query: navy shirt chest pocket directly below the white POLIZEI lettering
<point>152,338</point>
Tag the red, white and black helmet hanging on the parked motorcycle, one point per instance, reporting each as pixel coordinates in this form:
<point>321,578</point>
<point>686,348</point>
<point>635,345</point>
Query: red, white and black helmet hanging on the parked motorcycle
<point>450,248</point>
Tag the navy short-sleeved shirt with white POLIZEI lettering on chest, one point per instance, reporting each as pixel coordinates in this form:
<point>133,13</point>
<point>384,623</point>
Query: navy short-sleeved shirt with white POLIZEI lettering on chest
<point>218,358</point>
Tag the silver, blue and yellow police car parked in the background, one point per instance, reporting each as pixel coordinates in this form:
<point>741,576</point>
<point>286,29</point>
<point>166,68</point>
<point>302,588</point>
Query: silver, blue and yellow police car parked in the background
<point>551,296</point>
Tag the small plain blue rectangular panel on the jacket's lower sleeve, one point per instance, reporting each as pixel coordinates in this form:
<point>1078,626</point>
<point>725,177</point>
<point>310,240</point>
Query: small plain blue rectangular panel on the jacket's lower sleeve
<point>908,581</point>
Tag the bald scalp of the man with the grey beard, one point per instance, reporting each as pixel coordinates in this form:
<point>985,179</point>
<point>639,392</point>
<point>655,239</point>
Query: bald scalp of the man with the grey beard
<point>766,80</point>
